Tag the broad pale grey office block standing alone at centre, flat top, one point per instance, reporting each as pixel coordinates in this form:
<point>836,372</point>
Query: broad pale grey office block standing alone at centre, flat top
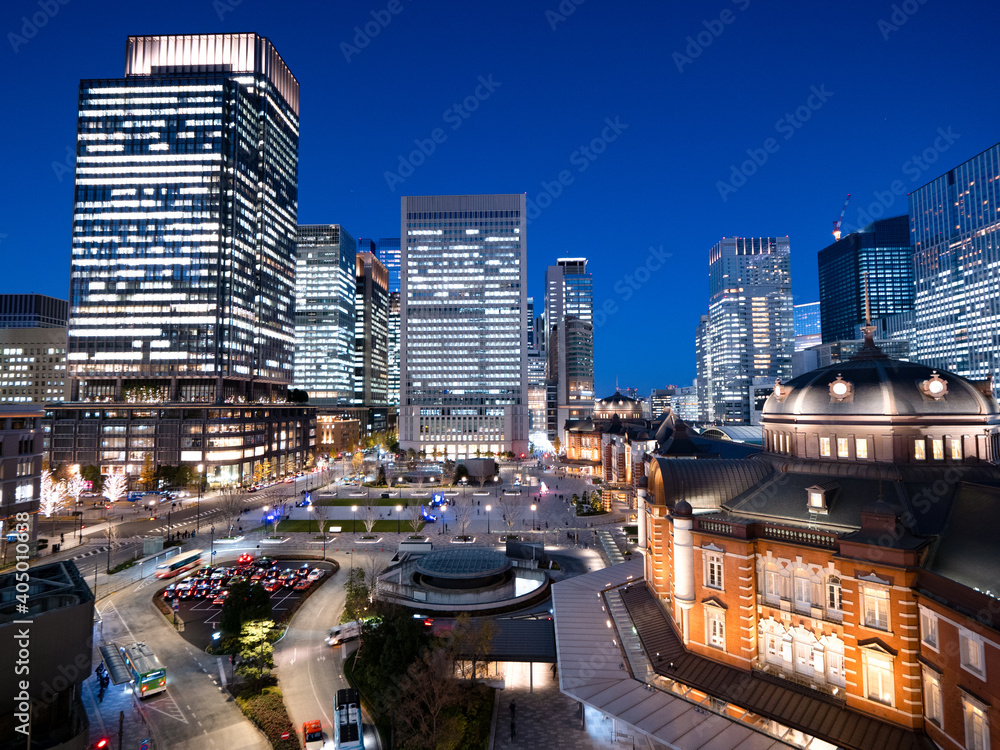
<point>463,325</point>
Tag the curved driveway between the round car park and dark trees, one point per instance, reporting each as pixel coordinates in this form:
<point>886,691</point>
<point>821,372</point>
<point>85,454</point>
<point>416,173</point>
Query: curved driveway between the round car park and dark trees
<point>309,671</point>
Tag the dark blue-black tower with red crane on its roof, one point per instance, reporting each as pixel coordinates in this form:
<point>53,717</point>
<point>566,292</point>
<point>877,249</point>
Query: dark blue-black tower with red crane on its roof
<point>880,252</point>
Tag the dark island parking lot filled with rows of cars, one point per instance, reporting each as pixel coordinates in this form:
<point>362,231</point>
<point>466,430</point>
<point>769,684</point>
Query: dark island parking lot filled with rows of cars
<point>200,611</point>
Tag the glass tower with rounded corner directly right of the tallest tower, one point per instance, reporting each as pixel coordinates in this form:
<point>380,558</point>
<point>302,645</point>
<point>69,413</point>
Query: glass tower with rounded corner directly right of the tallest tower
<point>325,313</point>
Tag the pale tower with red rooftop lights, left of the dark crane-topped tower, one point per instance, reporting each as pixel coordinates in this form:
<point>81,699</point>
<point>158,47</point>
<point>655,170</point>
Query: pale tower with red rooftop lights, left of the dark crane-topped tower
<point>750,325</point>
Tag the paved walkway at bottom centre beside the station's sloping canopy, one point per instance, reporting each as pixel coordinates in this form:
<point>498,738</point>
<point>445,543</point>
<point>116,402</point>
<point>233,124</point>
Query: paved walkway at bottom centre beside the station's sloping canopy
<point>547,718</point>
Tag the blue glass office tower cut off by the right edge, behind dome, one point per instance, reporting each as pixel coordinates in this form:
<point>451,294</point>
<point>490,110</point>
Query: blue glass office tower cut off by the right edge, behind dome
<point>956,239</point>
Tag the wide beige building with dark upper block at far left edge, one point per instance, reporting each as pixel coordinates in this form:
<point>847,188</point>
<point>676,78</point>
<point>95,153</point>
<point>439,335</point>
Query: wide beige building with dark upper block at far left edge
<point>32,349</point>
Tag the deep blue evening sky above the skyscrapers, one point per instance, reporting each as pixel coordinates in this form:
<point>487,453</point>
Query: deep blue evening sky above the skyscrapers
<point>655,185</point>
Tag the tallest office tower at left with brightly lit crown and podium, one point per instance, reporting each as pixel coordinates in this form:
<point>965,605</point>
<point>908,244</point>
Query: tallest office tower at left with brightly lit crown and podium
<point>183,250</point>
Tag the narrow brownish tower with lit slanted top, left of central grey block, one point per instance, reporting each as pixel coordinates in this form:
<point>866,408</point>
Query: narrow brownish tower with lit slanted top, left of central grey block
<point>371,332</point>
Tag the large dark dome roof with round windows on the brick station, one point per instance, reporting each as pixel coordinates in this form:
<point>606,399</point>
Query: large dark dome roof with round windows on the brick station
<point>871,384</point>
